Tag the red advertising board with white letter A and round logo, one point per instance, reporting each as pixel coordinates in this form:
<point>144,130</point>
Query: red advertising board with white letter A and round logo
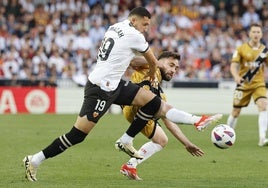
<point>27,100</point>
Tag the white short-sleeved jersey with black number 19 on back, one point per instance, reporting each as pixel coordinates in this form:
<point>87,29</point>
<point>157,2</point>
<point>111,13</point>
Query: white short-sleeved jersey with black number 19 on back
<point>120,44</point>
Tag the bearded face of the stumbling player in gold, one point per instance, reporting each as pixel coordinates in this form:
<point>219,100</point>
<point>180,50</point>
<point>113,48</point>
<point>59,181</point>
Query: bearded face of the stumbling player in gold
<point>169,68</point>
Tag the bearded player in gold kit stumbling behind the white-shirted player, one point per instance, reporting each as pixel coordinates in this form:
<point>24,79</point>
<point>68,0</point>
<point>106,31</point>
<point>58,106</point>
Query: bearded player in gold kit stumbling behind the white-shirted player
<point>168,63</point>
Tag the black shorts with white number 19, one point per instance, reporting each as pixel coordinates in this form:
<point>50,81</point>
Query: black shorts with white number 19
<point>97,101</point>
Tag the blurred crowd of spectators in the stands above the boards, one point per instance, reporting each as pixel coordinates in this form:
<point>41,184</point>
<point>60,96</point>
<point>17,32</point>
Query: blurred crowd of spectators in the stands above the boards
<point>42,41</point>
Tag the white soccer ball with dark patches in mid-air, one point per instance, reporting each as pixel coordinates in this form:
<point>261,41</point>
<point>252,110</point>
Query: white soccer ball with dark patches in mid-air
<point>223,136</point>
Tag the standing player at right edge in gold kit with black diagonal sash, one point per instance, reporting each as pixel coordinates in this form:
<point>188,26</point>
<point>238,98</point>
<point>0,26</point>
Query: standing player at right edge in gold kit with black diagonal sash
<point>247,69</point>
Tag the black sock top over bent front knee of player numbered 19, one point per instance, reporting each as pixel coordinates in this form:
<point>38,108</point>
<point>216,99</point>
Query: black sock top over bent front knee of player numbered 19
<point>150,109</point>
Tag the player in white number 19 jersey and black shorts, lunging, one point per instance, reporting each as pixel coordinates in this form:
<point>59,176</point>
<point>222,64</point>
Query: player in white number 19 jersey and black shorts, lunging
<point>105,87</point>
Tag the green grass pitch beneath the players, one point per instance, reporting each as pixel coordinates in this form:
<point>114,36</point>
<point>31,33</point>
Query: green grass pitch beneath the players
<point>95,163</point>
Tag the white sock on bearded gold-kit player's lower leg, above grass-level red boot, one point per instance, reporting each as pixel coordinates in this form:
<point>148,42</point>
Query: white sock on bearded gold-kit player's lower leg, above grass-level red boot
<point>147,150</point>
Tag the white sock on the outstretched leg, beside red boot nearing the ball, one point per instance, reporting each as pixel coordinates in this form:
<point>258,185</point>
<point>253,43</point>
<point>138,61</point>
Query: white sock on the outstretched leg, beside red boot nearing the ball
<point>178,116</point>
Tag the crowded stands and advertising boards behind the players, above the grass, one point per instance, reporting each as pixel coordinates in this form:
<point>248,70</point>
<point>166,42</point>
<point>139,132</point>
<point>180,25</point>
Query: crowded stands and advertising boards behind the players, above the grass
<point>51,46</point>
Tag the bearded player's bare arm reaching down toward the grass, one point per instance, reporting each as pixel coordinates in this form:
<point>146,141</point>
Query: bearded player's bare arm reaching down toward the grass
<point>179,135</point>
